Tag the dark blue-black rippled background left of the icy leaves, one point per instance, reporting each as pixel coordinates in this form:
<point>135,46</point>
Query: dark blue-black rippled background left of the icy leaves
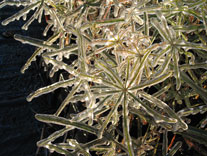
<point>19,130</point>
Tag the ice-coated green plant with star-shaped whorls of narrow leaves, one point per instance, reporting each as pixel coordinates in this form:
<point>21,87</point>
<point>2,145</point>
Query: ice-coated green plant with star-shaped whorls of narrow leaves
<point>136,60</point>
